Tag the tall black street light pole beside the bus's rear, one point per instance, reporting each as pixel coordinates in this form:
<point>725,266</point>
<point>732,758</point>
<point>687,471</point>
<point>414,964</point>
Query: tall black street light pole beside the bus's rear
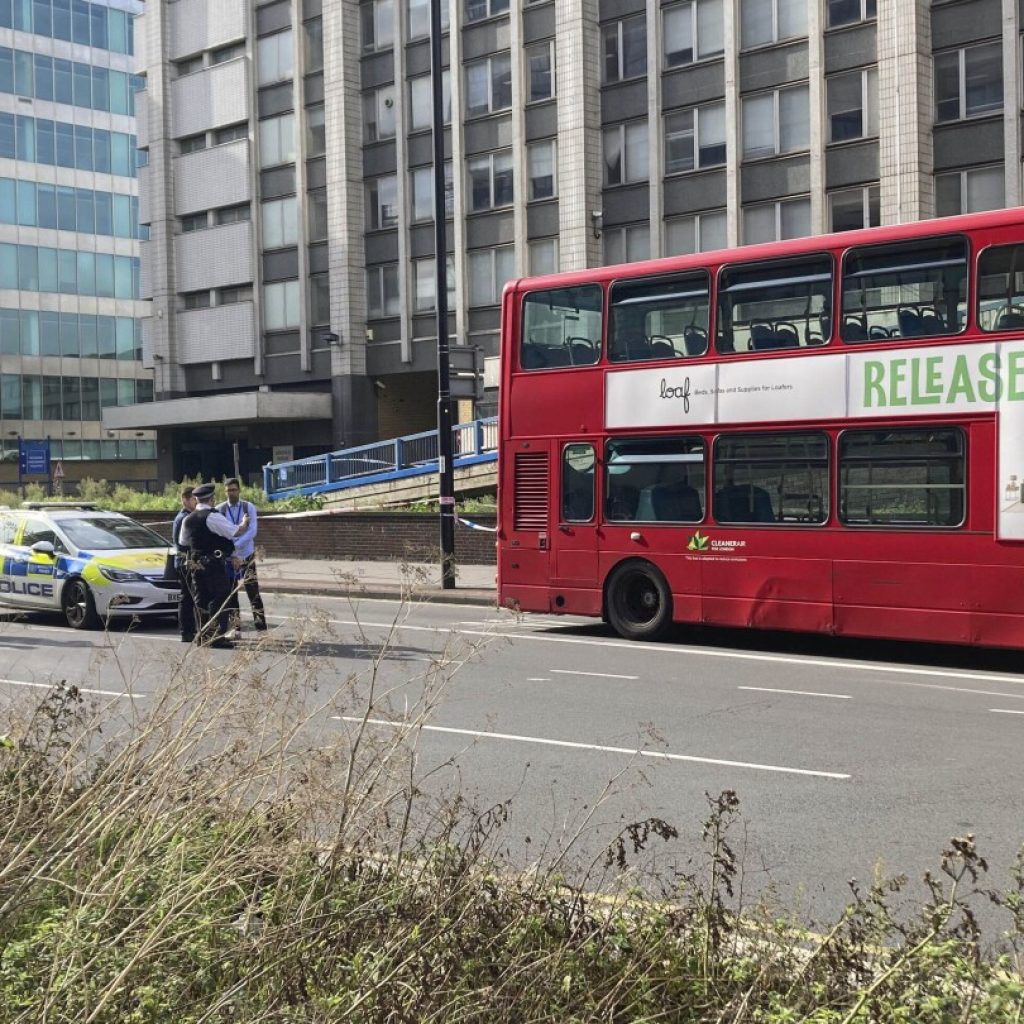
<point>446,472</point>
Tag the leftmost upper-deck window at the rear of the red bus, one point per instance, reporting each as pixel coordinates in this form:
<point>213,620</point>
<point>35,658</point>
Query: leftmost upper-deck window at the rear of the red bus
<point>562,328</point>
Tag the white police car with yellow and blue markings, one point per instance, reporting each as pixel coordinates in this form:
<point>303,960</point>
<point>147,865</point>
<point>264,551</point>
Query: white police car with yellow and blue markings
<point>84,563</point>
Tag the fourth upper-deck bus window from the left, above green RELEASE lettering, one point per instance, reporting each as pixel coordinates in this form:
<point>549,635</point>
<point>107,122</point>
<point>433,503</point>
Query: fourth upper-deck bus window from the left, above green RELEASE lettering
<point>910,290</point>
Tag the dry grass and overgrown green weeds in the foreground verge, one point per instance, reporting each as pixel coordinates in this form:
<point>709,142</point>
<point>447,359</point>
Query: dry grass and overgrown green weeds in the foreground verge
<point>251,848</point>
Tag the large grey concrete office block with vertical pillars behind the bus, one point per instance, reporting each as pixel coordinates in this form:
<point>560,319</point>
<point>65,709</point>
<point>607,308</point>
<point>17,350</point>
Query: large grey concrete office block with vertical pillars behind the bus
<point>289,189</point>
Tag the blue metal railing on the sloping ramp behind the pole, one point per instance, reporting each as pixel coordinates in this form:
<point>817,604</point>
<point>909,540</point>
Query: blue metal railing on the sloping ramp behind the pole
<point>414,455</point>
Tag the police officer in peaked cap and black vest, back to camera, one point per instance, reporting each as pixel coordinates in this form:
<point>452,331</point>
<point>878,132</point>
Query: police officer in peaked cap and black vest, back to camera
<point>207,537</point>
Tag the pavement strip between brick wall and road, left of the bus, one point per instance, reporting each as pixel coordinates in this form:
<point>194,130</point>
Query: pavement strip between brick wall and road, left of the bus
<point>475,584</point>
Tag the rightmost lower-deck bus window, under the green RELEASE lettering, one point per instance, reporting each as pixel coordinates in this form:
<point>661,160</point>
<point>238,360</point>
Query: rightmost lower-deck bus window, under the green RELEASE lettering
<point>906,478</point>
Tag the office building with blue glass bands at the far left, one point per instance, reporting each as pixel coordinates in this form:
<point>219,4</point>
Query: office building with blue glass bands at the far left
<point>70,281</point>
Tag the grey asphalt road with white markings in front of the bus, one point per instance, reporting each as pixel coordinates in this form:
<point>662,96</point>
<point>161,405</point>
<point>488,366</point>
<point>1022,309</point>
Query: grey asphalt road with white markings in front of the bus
<point>844,755</point>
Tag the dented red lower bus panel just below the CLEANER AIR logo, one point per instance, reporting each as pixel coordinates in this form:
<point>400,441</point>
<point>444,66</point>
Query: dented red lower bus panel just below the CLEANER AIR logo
<point>770,593</point>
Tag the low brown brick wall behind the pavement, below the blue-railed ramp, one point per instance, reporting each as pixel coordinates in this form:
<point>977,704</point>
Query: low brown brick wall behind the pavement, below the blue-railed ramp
<point>360,536</point>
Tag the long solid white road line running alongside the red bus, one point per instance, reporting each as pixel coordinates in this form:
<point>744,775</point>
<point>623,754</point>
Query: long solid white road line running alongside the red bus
<point>820,663</point>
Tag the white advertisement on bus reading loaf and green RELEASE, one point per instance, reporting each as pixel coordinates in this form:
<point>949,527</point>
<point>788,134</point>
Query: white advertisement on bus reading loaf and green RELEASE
<point>933,381</point>
